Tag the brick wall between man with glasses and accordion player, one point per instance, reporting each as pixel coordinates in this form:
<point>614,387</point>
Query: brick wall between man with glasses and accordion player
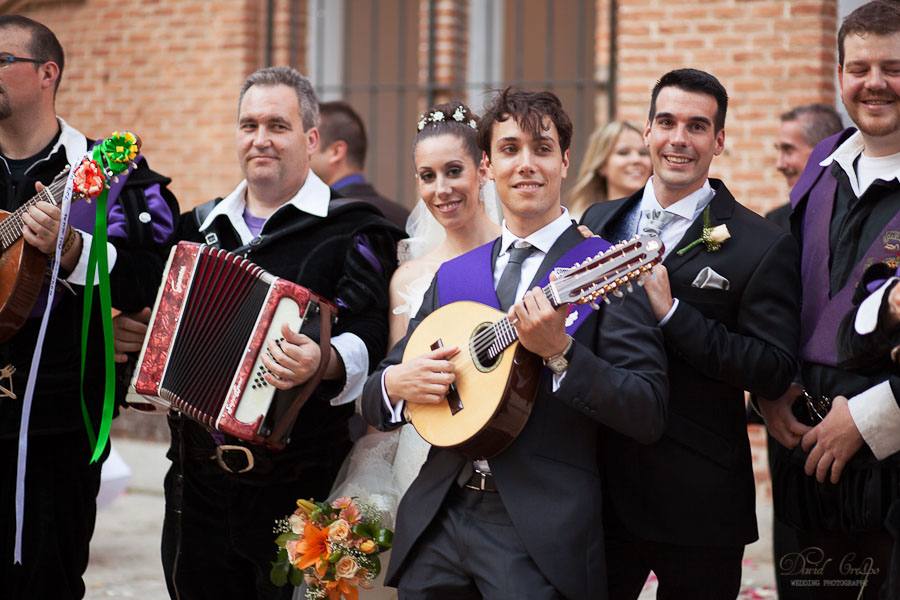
<point>169,71</point>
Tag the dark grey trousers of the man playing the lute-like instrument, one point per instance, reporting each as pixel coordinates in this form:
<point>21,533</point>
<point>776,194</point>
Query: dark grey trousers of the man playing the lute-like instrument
<point>471,551</point>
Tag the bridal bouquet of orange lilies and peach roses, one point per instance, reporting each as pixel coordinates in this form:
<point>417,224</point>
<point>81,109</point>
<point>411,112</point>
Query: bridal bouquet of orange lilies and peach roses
<point>332,547</point>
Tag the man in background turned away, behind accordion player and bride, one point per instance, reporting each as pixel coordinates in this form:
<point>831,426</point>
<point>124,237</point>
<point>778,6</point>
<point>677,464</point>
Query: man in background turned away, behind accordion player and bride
<point>341,158</point>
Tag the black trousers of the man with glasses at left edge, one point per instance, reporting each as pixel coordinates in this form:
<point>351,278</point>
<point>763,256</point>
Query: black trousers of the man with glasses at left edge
<point>60,511</point>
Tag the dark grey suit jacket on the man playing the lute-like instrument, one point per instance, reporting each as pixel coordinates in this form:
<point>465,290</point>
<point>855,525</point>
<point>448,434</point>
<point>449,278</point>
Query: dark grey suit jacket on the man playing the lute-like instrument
<point>549,476</point>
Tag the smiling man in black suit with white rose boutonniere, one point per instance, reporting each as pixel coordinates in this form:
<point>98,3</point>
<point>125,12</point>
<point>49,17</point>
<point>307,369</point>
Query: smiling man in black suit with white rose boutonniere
<point>728,308</point>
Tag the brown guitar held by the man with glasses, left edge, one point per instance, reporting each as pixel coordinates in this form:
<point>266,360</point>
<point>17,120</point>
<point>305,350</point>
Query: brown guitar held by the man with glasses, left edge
<point>22,266</point>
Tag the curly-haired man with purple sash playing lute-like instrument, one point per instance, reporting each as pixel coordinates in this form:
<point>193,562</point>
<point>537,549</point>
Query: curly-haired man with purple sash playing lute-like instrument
<point>527,522</point>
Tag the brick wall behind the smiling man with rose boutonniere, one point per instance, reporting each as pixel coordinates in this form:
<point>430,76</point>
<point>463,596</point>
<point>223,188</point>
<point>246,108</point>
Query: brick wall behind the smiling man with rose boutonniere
<point>770,55</point>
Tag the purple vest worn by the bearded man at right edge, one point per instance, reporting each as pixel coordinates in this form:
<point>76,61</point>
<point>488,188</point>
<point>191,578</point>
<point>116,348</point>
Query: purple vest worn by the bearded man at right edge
<point>821,315</point>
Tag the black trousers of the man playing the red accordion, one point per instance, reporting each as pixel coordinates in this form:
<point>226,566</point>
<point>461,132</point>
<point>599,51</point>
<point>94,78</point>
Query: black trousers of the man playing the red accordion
<point>221,545</point>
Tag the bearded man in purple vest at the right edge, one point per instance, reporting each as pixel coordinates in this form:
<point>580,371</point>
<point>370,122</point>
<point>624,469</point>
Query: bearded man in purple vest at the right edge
<point>847,217</point>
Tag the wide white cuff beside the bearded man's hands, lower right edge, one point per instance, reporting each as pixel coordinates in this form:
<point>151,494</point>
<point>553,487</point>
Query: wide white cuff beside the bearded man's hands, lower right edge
<point>877,416</point>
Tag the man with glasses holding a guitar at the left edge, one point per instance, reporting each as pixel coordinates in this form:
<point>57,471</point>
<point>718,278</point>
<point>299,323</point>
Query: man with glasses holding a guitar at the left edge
<point>61,484</point>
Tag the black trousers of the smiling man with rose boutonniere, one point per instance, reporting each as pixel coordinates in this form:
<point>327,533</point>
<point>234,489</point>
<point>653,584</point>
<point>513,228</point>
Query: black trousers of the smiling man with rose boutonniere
<point>682,571</point>
